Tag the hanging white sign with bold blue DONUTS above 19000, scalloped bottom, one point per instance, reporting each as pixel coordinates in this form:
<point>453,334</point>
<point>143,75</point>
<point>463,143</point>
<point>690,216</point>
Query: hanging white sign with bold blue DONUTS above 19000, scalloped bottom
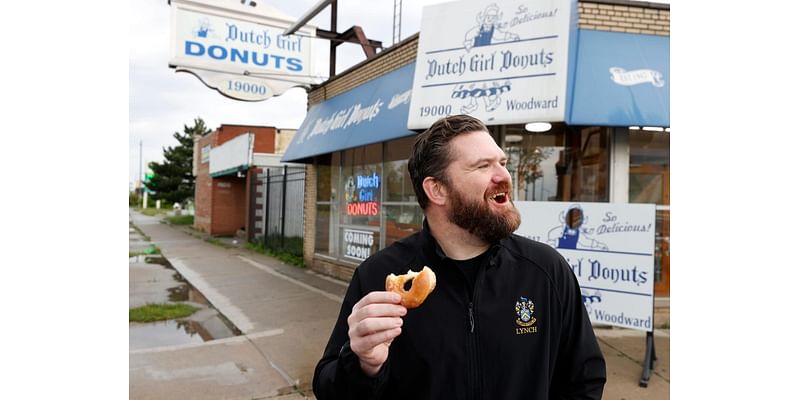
<point>240,50</point>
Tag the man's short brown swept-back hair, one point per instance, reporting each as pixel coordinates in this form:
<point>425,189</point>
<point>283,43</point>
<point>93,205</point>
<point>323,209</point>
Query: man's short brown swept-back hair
<point>431,153</point>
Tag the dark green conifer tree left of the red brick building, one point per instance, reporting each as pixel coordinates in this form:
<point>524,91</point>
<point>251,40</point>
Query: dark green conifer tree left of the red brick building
<point>172,180</point>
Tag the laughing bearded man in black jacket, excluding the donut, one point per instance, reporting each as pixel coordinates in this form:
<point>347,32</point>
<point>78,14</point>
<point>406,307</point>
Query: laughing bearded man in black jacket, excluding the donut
<point>506,319</point>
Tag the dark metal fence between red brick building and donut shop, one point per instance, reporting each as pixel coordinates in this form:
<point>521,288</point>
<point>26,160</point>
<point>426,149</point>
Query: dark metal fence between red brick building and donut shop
<point>276,211</point>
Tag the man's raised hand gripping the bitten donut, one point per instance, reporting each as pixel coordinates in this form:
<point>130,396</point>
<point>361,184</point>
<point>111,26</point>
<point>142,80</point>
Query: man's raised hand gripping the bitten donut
<point>374,322</point>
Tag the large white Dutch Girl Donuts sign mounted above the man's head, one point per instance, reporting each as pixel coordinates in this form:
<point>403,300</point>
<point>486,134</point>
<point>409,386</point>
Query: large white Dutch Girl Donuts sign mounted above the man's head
<point>502,62</point>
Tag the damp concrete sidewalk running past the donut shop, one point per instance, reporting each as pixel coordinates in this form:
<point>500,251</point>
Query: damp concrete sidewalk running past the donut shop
<point>286,315</point>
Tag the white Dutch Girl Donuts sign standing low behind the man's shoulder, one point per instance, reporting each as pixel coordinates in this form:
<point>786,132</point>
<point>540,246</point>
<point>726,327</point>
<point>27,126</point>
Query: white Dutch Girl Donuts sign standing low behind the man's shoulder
<point>610,249</point>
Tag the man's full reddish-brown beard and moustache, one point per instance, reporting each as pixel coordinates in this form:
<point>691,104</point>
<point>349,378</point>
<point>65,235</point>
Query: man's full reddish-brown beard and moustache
<point>477,217</point>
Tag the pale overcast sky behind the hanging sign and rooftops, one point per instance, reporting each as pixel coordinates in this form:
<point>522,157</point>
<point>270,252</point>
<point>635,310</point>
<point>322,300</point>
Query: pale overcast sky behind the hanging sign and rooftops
<point>163,101</point>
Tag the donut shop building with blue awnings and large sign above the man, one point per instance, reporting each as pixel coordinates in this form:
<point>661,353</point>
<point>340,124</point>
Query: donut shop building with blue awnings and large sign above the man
<point>576,93</point>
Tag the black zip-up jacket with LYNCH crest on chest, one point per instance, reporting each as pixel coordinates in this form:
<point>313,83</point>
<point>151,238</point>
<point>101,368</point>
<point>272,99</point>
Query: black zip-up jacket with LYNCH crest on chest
<point>465,344</point>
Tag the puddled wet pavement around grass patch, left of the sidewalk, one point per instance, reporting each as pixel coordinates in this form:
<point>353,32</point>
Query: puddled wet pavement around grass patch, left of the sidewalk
<point>204,325</point>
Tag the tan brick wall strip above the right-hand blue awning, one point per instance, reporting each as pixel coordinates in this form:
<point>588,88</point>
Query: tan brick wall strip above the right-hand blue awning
<point>624,16</point>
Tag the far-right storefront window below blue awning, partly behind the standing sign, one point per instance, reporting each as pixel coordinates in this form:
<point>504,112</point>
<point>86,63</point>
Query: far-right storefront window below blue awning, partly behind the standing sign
<point>649,183</point>
